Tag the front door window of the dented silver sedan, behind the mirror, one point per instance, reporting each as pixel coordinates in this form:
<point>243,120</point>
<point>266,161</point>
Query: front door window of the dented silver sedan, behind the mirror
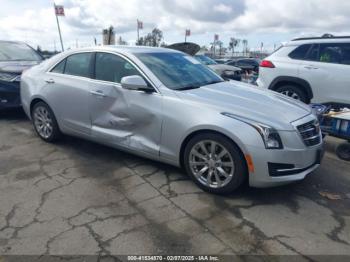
<point>112,68</point>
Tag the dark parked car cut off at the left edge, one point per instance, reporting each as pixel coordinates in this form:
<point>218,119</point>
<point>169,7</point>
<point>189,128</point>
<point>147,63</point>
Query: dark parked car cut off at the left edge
<point>14,58</point>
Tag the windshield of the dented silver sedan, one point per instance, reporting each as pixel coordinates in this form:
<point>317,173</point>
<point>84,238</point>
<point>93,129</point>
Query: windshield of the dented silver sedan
<point>178,71</point>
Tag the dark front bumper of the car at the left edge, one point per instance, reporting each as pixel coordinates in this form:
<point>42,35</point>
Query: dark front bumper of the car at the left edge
<point>9,95</point>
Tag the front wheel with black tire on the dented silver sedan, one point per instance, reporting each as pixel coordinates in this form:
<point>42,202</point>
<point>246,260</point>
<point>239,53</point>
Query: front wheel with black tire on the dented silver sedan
<point>232,163</point>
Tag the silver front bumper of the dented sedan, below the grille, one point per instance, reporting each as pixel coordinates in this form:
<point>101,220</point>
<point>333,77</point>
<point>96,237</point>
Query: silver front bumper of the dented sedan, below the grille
<point>279,167</point>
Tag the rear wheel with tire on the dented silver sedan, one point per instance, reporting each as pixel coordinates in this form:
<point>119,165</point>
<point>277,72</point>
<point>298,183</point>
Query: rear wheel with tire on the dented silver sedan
<point>45,123</point>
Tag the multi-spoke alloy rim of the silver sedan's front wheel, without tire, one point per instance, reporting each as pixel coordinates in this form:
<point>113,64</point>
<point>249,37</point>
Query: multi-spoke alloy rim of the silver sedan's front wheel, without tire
<point>211,164</point>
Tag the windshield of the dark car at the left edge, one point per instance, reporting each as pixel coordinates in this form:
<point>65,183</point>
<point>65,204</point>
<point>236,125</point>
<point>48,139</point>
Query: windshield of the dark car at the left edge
<point>17,52</point>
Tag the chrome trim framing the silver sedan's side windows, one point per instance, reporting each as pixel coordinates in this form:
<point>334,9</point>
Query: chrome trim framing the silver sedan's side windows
<point>97,80</point>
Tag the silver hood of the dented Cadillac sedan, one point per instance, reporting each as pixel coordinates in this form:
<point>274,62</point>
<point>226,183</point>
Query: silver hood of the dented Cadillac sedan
<point>264,106</point>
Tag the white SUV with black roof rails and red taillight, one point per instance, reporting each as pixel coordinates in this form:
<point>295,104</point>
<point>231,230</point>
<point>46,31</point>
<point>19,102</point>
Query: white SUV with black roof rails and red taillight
<point>311,70</point>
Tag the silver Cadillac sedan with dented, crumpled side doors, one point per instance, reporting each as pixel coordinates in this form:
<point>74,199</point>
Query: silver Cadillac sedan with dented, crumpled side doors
<point>164,105</point>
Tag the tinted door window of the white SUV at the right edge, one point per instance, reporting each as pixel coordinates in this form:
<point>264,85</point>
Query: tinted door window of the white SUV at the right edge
<point>337,53</point>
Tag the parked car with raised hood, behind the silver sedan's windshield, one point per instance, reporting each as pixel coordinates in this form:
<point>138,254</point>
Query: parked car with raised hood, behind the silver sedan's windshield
<point>225,71</point>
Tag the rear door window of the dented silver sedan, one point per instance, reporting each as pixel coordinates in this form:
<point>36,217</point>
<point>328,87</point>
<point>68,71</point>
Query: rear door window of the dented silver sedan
<point>78,64</point>
